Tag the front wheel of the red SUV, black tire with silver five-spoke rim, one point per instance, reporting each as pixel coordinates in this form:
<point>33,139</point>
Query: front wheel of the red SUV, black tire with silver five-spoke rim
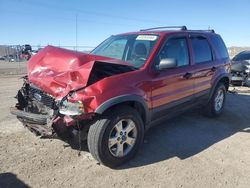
<point>116,137</point>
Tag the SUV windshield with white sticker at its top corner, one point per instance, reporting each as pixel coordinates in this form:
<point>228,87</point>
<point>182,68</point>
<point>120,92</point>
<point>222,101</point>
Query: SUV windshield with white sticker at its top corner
<point>134,49</point>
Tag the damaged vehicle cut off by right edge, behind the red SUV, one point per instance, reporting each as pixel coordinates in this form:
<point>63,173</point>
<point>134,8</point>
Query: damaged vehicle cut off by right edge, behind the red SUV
<point>241,69</point>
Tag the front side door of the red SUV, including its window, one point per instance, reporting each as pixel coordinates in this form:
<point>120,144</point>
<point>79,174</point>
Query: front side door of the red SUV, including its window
<point>174,86</point>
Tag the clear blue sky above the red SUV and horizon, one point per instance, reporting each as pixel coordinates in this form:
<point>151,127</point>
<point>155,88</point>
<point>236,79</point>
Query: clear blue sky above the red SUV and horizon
<point>42,22</point>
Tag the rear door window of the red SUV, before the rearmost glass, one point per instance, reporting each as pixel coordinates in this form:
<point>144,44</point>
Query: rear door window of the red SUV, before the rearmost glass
<point>201,49</point>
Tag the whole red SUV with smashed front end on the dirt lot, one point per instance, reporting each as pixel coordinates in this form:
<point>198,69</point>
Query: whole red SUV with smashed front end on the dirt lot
<point>123,87</point>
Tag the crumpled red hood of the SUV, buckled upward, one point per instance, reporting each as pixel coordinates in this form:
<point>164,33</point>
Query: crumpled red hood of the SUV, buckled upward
<point>58,71</point>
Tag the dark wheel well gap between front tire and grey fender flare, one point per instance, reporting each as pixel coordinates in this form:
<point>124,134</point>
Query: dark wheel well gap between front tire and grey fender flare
<point>134,104</point>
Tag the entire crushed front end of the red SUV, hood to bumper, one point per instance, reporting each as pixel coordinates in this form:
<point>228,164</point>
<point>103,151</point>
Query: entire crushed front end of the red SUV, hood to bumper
<point>55,76</point>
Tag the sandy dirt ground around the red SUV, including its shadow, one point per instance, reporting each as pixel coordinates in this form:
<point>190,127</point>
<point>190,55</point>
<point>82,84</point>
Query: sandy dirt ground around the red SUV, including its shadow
<point>188,151</point>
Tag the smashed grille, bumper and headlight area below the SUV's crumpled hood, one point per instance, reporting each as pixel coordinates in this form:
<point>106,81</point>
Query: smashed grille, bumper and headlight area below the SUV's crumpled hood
<point>46,117</point>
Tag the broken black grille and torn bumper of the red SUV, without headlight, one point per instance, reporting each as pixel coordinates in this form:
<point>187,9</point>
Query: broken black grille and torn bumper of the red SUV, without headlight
<point>35,109</point>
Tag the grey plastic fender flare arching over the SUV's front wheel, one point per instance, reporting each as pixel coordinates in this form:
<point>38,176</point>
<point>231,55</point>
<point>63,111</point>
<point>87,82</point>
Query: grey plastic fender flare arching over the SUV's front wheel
<point>125,98</point>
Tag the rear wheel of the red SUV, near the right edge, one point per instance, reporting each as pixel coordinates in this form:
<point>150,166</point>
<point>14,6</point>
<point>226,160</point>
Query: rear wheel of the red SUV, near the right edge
<point>216,103</point>
